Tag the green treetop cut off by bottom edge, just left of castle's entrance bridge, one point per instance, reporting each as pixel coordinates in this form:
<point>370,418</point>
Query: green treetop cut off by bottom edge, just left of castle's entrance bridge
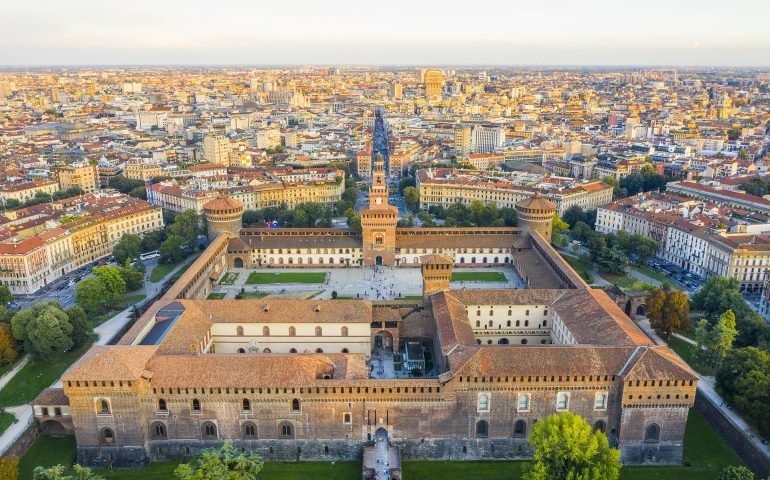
<point>223,463</point>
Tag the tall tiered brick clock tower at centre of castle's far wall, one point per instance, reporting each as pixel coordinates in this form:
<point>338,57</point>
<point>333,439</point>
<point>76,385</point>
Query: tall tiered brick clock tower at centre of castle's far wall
<point>378,221</point>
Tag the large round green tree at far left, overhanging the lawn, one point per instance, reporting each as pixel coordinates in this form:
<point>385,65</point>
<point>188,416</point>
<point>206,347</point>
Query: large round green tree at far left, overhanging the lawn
<point>44,330</point>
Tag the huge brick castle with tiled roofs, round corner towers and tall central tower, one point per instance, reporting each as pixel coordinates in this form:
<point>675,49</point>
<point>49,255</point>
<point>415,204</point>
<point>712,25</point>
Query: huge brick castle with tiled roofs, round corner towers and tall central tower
<point>310,379</point>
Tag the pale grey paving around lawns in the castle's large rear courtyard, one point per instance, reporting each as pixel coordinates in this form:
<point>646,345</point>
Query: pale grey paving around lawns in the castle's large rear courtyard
<point>367,283</point>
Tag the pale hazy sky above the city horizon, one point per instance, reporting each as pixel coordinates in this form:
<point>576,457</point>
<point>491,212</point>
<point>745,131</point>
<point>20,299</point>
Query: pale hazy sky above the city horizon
<point>541,32</point>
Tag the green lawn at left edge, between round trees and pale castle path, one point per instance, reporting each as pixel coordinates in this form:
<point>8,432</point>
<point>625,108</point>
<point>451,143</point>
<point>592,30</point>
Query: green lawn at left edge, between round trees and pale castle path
<point>36,376</point>
